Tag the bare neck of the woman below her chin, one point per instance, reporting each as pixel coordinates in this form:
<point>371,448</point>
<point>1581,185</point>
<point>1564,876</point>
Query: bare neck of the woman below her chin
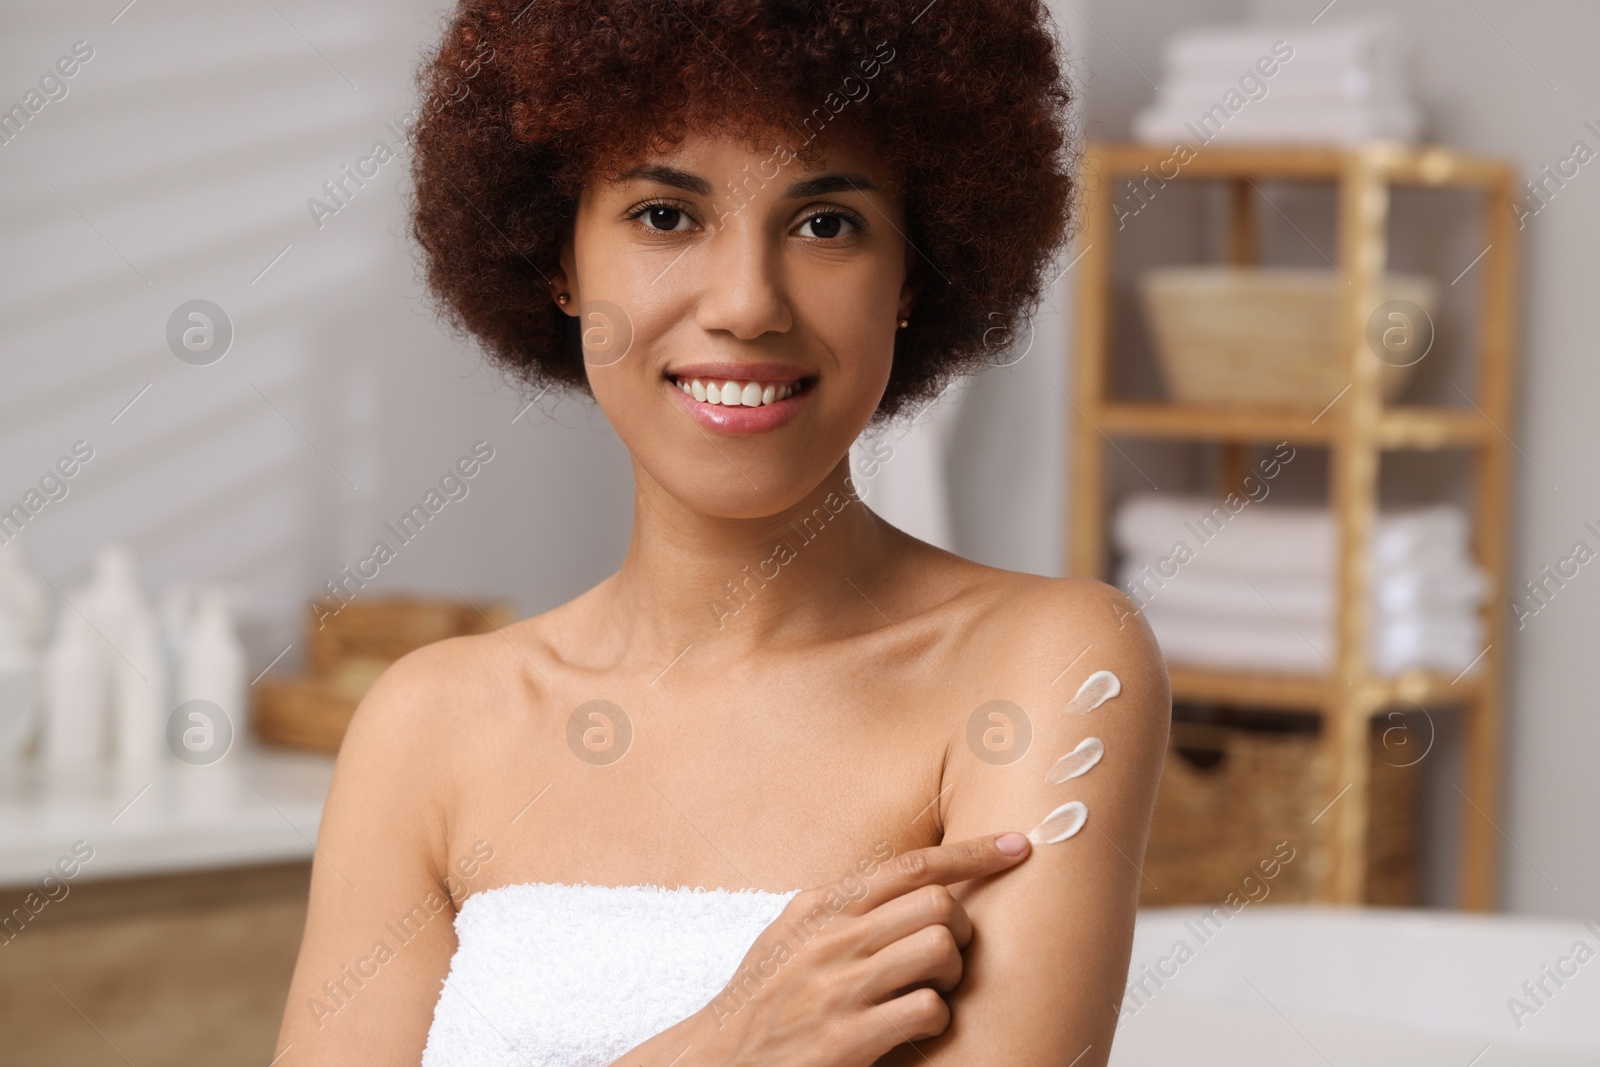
<point>735,583</point>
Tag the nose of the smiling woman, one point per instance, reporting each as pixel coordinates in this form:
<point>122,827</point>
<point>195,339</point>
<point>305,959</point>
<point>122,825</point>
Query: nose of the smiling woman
<point>743,292</point>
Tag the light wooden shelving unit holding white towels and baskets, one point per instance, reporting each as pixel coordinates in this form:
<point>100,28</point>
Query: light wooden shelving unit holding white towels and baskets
<point>1358,430</point>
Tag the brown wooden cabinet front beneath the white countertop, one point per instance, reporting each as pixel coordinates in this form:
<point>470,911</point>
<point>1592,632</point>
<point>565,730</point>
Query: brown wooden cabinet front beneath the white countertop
<point>180,970</point>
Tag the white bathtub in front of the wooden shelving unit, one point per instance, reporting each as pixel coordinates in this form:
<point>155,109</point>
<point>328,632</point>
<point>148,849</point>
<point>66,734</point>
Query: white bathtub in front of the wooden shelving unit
<point>1287,986</point>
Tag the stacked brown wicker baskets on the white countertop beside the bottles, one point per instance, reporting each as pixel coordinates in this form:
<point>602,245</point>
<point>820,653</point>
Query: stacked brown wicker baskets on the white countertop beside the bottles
<point>348,649</point>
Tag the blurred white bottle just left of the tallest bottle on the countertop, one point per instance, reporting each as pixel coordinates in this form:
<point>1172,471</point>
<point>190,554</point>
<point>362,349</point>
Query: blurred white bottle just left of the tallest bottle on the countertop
<point>74,697</point>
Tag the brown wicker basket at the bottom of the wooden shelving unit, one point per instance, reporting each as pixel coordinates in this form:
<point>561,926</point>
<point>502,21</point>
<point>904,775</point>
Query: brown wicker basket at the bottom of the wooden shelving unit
<point>1230,796</point>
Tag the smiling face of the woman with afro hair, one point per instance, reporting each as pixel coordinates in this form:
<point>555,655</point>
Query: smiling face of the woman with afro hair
<point>740,314</point>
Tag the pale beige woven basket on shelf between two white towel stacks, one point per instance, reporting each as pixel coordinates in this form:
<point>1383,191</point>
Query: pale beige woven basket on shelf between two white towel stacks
<point>1266,337</point>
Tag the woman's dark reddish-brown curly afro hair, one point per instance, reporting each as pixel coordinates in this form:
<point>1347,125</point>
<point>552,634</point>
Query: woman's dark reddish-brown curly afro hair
<point>524,102</point>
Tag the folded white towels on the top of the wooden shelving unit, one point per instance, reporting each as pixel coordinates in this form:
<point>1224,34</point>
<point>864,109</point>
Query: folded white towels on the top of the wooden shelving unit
<point>1258,84</point>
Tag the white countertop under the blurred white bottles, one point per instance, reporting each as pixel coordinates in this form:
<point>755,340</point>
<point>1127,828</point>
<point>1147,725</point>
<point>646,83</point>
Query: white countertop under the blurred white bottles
<point>257,805</point>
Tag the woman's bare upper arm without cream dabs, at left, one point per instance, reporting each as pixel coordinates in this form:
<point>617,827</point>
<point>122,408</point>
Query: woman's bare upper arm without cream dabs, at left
<point>380,927</point>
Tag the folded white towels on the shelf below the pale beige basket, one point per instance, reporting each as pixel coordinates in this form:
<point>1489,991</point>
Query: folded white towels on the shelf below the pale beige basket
<point>1257,589</point>
